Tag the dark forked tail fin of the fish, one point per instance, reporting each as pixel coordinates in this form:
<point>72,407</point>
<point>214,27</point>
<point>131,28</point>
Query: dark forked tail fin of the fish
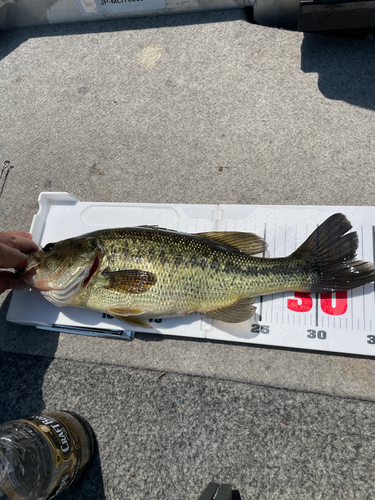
<point>330,252</point>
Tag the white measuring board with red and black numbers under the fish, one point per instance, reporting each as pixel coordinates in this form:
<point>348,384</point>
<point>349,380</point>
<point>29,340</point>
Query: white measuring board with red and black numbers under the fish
<point>342,322</point>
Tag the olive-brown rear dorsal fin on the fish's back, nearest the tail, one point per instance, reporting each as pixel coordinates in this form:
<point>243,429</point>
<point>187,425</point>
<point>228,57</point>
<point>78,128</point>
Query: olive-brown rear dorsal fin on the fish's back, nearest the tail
<point>248,243</point>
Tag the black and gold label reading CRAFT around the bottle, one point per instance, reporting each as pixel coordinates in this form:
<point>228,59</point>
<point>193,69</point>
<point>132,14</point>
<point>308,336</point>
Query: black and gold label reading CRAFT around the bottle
<point>65,447</point>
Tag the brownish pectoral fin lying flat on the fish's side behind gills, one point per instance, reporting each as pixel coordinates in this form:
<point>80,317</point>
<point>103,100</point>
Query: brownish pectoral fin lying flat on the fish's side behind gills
<point>129,280</point>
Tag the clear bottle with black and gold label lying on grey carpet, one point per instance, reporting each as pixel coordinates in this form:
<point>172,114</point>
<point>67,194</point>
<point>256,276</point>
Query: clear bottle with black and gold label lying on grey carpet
<point>42,455</point>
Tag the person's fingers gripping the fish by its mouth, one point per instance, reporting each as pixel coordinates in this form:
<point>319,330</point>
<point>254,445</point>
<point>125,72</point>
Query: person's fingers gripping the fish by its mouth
<point>13,246</point>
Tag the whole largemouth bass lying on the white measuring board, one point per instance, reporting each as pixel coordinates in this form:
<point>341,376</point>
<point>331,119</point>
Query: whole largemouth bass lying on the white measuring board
<point>148,272</point>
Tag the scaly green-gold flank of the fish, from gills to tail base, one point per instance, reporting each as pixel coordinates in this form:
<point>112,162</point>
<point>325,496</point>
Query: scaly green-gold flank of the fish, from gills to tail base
<point>192,274</point>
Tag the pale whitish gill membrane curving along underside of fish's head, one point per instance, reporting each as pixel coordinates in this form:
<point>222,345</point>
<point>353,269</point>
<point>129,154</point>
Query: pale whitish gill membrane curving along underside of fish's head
<point>64,296</point>
